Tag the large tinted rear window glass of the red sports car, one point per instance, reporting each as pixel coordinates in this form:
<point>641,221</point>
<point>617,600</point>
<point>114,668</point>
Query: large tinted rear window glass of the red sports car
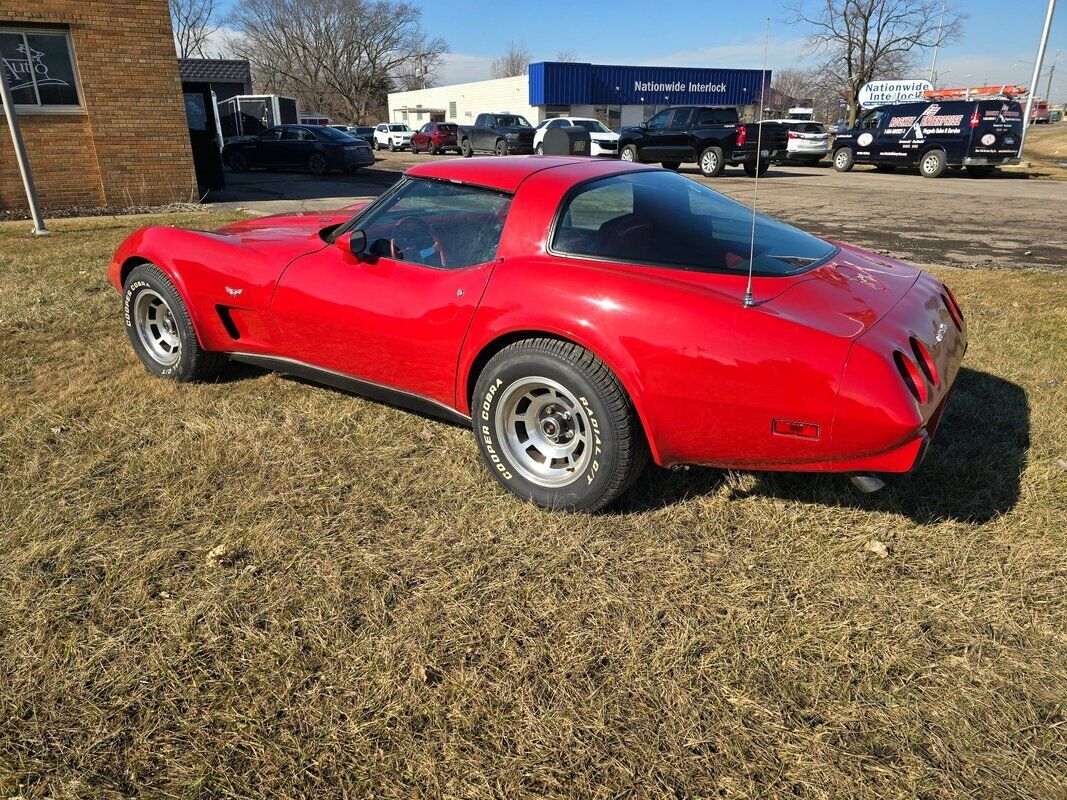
<point>661,218</point>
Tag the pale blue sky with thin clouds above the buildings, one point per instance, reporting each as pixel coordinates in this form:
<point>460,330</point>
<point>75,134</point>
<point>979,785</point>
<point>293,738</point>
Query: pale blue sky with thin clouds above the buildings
<point>999,44</point>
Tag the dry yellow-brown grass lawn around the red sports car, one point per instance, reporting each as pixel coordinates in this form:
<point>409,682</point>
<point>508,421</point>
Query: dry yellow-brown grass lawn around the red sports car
<point>263,588</point>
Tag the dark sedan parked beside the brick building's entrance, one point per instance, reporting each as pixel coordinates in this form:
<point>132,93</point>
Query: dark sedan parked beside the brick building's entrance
<point>317,149</point>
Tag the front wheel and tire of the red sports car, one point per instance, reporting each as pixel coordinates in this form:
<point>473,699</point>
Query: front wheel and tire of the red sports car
<point>162,331</point>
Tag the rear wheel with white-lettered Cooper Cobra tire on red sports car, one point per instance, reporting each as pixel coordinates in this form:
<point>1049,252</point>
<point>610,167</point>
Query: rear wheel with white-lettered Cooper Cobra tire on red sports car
<point>556,427</point>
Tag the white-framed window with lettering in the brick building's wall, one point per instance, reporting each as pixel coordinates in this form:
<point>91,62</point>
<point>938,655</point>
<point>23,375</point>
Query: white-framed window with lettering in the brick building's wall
<point>40,69</point>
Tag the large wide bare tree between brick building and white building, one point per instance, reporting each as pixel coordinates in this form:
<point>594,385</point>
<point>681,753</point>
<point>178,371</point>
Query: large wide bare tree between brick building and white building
<point>338,57</point>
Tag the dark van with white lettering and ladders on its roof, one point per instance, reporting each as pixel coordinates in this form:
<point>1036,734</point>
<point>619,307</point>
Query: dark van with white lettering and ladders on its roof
<point>934,136</point>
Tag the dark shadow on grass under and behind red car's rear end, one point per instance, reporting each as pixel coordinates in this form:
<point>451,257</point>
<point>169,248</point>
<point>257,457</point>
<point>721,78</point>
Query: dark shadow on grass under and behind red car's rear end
<point>973,472</point>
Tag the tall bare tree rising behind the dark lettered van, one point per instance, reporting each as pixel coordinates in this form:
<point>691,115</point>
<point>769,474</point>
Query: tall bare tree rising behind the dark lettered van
<point>861,41</point>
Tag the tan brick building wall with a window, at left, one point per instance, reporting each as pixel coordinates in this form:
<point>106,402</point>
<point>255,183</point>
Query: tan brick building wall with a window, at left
<point>100,102</point>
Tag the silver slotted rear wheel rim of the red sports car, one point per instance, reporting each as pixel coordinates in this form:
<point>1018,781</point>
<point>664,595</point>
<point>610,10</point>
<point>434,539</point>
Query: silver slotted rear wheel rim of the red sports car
<point>545,430</point>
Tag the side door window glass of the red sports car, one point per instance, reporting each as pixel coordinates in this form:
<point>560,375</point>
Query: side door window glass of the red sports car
<point>438,225</point>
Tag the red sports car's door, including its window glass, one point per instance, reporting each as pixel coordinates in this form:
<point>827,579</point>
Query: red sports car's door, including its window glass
<point>396,316</point>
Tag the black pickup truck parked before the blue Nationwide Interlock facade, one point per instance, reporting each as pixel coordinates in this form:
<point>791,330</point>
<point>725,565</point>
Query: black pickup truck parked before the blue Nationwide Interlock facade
<point>711,136</point>
